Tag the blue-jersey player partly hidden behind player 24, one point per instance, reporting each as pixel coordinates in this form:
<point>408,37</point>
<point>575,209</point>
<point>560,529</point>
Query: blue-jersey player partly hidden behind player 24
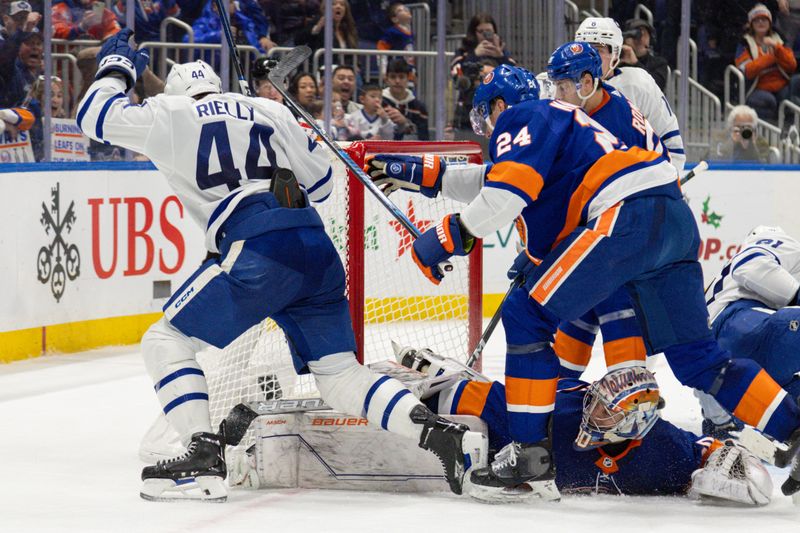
<point>575,70</point>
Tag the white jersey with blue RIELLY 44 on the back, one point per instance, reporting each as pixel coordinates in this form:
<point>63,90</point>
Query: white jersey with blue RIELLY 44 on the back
<point>213,151</point>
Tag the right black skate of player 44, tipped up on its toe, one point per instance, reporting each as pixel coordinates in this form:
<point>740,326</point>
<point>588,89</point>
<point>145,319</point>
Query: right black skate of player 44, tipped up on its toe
<point>457,448</point>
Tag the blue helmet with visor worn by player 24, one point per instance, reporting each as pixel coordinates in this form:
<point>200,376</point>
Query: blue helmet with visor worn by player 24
<point>512,84</point>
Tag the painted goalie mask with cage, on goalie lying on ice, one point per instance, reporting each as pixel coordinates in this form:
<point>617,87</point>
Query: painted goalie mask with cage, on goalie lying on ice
<point>623,405</point>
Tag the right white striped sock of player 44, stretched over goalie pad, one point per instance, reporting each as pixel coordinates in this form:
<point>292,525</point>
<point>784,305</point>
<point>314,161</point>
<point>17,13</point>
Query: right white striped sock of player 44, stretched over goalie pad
<point>354,389</point>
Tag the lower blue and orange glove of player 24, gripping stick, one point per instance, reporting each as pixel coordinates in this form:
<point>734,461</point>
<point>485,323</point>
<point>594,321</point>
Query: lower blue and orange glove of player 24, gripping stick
<point>440,243</point>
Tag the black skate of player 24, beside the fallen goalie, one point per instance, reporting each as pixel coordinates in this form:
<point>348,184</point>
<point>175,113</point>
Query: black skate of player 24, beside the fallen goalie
<point>519,473</point>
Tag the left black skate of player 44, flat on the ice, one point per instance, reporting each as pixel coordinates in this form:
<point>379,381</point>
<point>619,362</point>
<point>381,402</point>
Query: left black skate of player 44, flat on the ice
<point>198,474</point>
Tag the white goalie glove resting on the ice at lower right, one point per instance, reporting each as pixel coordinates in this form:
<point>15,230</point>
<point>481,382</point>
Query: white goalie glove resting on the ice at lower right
<point>732,474</point>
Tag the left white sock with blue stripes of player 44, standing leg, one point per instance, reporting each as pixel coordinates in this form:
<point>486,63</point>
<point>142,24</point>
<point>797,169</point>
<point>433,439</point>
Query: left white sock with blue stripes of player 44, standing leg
<point>170,359</point>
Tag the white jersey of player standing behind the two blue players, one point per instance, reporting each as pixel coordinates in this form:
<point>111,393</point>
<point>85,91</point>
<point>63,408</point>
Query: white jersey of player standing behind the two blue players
<point>638,86</point>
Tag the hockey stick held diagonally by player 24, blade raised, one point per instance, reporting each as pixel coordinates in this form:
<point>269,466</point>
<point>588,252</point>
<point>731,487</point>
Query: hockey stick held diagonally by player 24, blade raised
<point>277,76</point>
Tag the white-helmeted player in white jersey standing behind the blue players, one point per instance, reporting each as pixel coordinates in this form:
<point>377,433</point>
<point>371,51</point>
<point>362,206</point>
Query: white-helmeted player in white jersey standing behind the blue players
<point>634,83</point>
